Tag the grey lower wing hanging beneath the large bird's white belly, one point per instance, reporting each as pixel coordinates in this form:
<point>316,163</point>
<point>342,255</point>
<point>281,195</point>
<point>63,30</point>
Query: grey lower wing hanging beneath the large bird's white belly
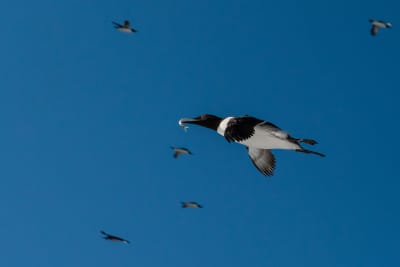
<point>263,159</point>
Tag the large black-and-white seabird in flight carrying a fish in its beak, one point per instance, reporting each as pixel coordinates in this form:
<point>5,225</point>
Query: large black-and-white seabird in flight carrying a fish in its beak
<point>257,135</point>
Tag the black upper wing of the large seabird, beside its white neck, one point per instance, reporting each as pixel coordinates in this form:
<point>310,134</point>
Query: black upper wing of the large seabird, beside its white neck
<point>240,128</point>
